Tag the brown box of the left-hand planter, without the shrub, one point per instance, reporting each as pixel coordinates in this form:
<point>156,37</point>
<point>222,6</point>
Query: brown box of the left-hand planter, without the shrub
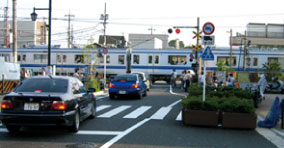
<point>200,117</point>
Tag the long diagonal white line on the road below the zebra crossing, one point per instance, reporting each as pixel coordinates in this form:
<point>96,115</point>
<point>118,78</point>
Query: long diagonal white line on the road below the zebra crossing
<point>118,137</point>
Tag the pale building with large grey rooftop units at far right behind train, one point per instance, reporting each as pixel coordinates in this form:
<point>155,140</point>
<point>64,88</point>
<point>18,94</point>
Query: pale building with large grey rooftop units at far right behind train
<point>262,35</point>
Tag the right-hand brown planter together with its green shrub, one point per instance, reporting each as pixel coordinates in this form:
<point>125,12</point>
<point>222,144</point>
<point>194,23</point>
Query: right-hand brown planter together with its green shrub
<point>238,113</point>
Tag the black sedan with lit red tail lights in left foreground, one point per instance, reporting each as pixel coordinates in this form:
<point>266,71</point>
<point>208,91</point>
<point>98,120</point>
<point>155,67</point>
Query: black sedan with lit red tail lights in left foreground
<point>47,101</point>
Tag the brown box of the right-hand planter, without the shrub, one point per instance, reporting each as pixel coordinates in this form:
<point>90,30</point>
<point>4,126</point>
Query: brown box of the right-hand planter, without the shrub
<point>239,120</point>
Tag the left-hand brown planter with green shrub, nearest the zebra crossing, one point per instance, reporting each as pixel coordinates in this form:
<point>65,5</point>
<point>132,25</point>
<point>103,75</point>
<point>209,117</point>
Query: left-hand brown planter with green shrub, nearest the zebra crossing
<point>198,112</point>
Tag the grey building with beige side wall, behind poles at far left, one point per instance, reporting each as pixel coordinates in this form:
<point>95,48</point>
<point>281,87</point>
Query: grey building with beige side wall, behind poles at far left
<point>29,33</point>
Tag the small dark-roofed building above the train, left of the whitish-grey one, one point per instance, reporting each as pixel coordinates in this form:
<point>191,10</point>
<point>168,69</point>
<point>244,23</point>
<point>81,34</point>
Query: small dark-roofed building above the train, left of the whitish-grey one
<point>113,41</point>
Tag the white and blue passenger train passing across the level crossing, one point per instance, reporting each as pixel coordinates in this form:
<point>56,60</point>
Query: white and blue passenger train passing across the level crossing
<point>157,64</point>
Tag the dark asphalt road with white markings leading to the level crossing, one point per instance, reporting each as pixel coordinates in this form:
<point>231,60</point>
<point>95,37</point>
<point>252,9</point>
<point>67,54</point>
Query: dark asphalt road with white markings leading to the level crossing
<point>152,122</point>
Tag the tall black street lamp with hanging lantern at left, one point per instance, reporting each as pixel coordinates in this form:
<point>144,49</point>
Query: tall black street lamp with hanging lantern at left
<point>34,17</point>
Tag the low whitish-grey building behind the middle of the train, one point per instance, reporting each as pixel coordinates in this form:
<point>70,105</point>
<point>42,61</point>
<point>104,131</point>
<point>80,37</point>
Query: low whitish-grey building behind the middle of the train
<point>145,39</point>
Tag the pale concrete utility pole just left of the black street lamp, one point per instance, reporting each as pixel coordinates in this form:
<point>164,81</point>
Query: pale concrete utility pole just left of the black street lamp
<point>15,47</point>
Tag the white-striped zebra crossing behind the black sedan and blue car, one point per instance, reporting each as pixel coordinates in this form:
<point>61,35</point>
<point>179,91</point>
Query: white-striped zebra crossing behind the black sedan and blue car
<point>159,114</point>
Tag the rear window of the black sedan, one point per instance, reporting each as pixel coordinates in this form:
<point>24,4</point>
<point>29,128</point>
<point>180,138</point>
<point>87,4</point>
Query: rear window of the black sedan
<point>43,85</point>
